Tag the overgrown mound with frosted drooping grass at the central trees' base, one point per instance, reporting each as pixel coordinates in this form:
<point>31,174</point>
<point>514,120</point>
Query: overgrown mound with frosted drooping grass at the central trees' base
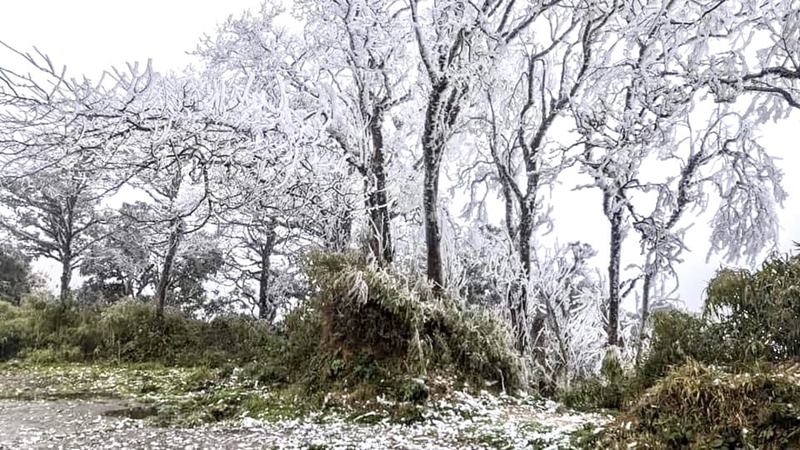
<point>374,323</point>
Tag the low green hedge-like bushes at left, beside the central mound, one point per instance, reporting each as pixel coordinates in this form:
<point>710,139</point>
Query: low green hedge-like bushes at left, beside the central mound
<point>47,331</point>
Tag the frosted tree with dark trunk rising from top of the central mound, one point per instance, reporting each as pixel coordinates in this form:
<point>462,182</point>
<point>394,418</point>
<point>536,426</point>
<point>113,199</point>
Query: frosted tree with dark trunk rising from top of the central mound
<point>359,50</point>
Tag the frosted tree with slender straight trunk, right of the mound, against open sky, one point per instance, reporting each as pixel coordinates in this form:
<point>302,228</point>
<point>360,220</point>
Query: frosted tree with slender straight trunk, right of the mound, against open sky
<point>627,113</point>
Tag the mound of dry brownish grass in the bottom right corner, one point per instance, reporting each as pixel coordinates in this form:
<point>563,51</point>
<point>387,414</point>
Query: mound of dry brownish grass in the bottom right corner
<point>697,406</point>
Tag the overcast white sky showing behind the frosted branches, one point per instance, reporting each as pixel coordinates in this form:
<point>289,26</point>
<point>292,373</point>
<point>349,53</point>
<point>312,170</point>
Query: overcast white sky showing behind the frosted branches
<point>90,35</point>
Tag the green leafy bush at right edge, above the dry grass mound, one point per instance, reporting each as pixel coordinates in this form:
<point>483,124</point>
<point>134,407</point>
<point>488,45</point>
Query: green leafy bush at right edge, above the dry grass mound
<point>749,318</point>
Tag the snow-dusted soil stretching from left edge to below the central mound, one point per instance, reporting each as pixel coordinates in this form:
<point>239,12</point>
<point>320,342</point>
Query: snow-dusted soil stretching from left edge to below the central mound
<point>460,421</point>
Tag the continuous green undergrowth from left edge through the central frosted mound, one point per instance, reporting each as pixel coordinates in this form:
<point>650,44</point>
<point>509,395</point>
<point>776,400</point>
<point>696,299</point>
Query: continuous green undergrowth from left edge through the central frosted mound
<point>362,328</point>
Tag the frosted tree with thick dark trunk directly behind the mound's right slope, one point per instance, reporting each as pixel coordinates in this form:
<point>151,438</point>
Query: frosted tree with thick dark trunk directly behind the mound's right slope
<point>458,43</point>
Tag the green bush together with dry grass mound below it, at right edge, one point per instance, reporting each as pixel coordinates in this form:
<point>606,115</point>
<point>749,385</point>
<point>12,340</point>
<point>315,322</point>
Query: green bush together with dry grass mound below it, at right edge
<point>727,379</point>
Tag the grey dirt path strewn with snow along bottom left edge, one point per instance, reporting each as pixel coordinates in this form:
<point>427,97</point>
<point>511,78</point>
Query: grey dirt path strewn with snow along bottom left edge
<point>83,424</point>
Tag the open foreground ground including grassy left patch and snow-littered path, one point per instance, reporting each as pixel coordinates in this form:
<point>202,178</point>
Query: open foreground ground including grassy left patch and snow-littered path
<point>88,408</point>
